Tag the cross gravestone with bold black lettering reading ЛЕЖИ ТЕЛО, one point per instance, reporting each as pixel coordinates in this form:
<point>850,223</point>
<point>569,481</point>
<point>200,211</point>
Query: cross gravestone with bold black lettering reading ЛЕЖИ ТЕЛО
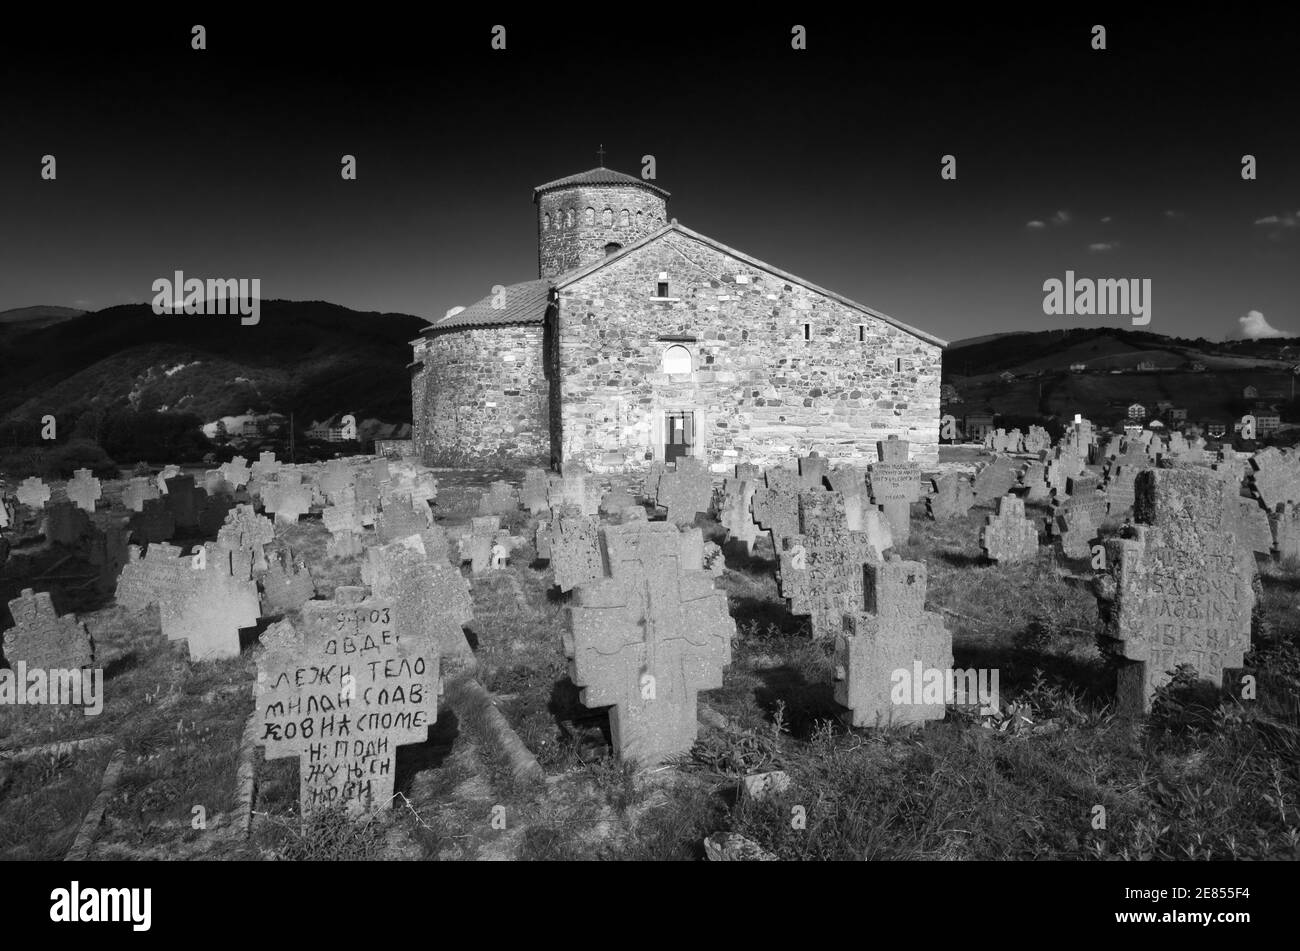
<point>341,691</point>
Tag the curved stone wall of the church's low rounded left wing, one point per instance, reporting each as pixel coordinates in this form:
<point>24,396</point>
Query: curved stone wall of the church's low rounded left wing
<point>482,397</point>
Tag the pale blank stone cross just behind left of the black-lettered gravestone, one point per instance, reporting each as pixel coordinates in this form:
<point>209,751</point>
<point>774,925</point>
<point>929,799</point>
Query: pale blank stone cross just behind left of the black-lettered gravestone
<point>207,607</point>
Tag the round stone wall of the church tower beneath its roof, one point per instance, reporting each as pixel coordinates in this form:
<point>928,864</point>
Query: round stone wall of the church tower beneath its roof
<point>619,214</point>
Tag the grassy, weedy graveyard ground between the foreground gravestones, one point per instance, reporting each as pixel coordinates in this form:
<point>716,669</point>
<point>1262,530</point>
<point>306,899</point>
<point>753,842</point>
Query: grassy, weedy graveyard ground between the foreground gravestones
<point>1206,778</point>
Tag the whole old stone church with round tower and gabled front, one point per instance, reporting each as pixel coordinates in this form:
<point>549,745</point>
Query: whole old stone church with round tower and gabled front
<point>644,341</point>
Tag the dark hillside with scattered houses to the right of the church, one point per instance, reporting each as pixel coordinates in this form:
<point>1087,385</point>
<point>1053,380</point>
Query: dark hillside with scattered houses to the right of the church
<point>1045,385</point>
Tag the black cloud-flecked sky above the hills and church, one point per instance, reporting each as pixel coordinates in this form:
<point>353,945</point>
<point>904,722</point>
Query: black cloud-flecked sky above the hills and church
<point>825,163</point>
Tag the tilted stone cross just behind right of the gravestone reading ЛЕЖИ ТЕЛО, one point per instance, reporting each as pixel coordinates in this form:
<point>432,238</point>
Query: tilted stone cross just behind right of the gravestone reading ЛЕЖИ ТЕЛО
<point>430,601</point>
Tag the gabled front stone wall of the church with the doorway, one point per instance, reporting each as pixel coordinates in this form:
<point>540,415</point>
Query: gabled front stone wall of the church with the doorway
<point>760,390</point>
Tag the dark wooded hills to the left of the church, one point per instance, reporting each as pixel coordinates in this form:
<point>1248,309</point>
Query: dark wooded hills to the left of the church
<point>310,358</point>
